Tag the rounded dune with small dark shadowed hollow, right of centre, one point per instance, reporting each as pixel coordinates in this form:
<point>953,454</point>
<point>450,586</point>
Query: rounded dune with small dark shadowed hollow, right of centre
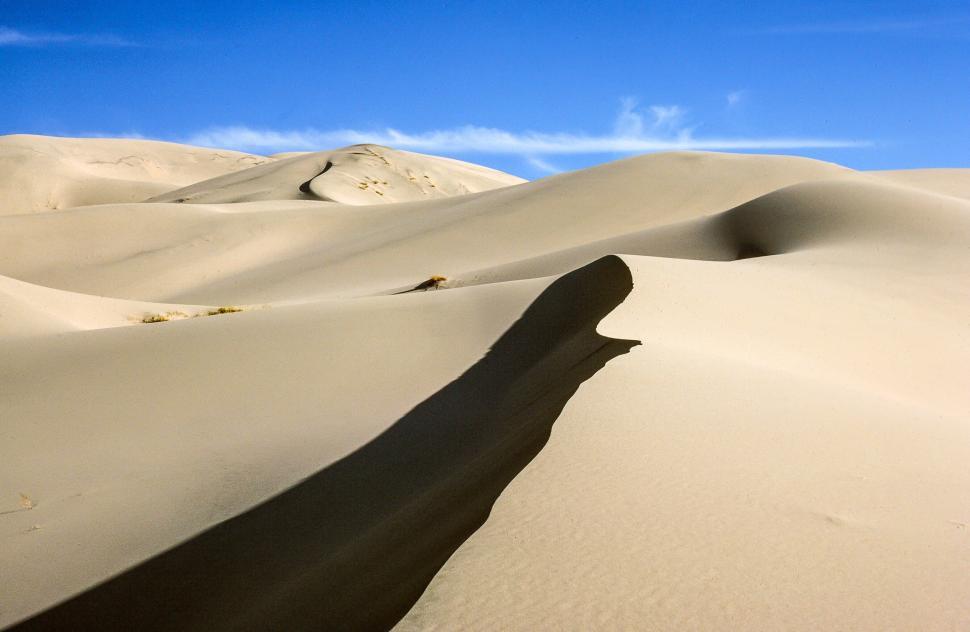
<point>856,214</point>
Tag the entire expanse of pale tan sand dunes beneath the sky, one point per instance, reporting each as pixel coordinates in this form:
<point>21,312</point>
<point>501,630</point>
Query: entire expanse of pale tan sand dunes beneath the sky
<point>678,391</point>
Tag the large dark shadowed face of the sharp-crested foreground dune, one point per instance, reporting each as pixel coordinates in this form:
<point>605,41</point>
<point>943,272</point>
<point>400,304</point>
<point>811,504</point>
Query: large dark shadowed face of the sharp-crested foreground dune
<point>354,545</point>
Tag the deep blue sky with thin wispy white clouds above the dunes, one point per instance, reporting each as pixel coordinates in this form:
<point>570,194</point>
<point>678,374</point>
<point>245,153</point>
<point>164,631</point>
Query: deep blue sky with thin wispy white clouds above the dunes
<point>530,88</point>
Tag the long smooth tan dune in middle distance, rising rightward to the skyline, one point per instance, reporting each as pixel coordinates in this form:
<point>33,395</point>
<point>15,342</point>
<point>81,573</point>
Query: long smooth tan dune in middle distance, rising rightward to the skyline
<point>201,253</point>
